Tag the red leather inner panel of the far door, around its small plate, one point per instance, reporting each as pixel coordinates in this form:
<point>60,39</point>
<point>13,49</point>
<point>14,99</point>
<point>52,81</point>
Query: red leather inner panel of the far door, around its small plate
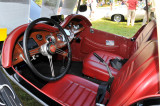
<point>97,41</point>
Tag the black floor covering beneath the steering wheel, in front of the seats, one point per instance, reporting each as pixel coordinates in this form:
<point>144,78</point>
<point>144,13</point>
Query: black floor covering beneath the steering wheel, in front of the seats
<point>44,68</point>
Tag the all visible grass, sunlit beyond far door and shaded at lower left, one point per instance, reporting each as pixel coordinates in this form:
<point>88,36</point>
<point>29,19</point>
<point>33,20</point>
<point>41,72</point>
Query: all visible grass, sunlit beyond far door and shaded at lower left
<point>102,24</point>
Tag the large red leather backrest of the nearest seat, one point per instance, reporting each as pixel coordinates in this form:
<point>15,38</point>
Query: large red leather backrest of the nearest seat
<point>138,77</point>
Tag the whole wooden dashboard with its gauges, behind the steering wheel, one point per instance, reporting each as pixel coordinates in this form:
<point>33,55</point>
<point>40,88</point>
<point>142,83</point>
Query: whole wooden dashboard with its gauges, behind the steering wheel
<point>40,37</point>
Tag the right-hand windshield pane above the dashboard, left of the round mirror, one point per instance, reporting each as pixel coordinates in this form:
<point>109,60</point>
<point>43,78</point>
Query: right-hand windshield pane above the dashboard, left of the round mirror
<point>57,7</point>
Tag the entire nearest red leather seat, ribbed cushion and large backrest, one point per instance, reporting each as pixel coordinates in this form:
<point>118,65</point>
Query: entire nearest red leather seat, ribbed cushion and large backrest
<point>137,78</point>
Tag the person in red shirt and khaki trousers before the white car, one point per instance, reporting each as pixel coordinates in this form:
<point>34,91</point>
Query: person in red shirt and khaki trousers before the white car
<point>131,4</point>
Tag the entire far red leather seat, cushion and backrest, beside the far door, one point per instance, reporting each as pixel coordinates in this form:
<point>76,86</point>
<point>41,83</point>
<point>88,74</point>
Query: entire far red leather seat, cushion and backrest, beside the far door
<point>92,67</point>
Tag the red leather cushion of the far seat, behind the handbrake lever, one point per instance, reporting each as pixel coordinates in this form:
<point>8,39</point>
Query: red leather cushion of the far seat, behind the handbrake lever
<point>92,67</point>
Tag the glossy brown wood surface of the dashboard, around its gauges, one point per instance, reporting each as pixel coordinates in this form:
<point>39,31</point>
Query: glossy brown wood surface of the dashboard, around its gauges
<point>18,54</point>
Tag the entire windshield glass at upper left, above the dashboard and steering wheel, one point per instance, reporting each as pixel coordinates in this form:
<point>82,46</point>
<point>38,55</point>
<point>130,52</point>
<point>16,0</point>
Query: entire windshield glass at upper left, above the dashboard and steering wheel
<point>17,12</point>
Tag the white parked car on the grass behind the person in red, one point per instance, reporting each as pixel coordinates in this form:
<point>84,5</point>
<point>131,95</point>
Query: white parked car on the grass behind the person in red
<point>119,13</point>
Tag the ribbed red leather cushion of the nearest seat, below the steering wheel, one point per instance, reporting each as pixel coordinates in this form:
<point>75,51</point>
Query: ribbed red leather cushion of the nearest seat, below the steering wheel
<point>73,90</point>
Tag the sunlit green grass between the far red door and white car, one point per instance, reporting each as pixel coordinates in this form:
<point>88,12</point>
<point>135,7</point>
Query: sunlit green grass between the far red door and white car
<point>119,28</point>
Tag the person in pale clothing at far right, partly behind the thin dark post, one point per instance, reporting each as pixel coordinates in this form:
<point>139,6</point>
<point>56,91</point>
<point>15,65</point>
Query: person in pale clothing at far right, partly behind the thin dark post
<point>151,10</point>
